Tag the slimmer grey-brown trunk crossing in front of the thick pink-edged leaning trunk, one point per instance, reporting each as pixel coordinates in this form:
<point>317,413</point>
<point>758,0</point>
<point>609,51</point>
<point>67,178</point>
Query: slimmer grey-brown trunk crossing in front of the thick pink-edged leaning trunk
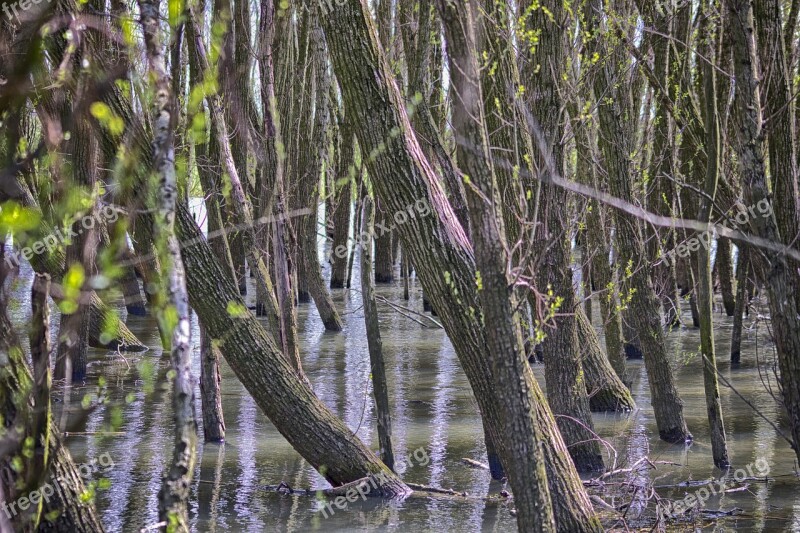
<point>520,450</point>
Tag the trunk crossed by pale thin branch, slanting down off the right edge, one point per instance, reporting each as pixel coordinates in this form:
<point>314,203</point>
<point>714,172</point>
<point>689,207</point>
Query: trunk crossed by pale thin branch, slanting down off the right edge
<point>749,122</point>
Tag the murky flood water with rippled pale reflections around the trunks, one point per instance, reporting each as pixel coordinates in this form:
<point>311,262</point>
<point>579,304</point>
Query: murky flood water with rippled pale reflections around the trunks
<point>434,416</point>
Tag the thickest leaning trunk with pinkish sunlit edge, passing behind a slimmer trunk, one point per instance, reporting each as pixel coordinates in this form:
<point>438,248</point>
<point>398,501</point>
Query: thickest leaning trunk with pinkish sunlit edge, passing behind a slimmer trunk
<point>438,249</point>
